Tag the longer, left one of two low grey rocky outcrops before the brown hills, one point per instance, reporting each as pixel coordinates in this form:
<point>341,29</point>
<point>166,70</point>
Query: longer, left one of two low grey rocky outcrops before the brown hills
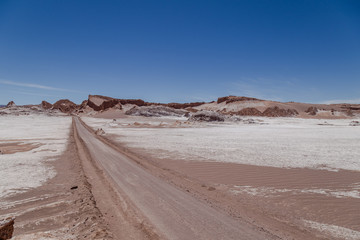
<point>156,111</point>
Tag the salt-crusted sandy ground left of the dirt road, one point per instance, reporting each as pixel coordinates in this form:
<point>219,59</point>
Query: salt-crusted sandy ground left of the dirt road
<point>59,205</point>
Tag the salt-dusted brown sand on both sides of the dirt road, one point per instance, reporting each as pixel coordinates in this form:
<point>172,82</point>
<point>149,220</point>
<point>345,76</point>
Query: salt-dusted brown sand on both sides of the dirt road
<point>291,178</point>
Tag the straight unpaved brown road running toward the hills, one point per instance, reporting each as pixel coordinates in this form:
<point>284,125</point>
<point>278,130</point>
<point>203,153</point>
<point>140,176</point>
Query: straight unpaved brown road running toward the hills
<point>173,213</point>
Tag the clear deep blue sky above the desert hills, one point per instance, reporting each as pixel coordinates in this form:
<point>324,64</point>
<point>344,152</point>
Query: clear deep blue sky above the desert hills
<point>180,50</point>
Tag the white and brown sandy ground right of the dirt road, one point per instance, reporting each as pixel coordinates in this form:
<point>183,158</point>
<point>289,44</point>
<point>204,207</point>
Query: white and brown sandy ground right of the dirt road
<point>303,197</point>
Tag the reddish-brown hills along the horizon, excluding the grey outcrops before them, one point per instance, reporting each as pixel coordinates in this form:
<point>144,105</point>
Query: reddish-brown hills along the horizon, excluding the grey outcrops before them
<point>229,105</point>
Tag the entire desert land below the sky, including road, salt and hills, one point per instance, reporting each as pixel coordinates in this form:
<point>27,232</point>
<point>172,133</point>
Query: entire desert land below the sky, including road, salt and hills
<point>234,168</point>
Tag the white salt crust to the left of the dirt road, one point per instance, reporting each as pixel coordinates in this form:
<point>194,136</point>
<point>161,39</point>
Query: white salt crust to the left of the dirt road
<point>21,171</point>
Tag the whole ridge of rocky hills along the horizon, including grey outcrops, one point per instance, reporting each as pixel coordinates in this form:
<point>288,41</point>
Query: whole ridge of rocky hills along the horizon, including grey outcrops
<point>237,106</point>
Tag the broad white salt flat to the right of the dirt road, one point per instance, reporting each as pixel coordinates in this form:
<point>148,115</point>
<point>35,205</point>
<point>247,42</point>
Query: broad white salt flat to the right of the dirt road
<point>280,142</point>
